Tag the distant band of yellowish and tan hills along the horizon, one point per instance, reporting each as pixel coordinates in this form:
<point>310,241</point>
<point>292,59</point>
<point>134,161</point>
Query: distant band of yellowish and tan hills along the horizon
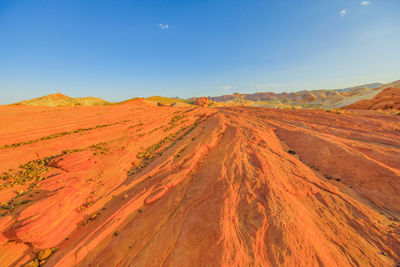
<point>301,99</point>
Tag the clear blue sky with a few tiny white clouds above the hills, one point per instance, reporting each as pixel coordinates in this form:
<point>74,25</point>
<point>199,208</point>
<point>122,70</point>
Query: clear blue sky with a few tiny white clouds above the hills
<point>118,49</point>
